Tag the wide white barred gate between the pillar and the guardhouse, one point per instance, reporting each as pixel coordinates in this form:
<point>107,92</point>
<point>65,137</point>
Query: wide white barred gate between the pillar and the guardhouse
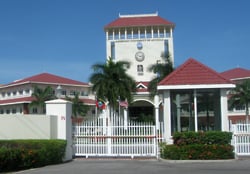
<point>101,137</point>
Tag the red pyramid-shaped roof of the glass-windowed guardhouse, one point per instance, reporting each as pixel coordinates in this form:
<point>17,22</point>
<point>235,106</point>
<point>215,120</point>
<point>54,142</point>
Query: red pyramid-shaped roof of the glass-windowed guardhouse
<point>193,72</point>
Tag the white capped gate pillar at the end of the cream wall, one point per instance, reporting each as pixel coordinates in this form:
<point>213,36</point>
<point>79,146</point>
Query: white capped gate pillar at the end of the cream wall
<point>63,110</point>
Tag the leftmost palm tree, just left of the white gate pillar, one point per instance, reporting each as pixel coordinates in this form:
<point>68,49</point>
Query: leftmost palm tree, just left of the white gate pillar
<point>41,95</point>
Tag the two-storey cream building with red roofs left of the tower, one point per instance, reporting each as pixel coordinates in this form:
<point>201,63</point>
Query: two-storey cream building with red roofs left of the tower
<point>15,97</point>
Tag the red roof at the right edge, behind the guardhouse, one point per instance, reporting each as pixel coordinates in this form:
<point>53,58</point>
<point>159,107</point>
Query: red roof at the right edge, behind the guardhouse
<point>236,73</point>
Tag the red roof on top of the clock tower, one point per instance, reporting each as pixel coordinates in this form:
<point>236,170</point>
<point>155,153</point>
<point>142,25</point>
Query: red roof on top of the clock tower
<point>139,21</point>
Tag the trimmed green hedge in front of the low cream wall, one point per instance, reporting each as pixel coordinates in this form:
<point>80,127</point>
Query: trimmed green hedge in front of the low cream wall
<point>24,154</point>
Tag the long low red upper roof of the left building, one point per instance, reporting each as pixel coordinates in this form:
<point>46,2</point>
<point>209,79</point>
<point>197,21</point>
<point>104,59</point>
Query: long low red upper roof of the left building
<point>48,78</point>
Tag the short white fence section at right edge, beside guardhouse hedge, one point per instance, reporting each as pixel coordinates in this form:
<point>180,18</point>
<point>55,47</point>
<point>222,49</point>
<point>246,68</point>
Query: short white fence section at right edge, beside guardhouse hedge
<point>241,139</point>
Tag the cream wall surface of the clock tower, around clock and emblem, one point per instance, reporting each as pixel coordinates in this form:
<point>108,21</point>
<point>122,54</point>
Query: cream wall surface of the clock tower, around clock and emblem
<point>126,50</point>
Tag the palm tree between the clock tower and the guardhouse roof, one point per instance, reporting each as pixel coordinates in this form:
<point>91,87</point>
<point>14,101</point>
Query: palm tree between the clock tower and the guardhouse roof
<point>161,70</point>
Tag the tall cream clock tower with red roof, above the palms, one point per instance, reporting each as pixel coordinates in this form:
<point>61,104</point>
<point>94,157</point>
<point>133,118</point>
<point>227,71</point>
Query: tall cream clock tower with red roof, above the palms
<point>141,40</point>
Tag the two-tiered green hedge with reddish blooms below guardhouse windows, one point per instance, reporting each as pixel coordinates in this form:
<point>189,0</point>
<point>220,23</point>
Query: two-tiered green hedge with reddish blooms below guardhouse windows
<point>211,145</point>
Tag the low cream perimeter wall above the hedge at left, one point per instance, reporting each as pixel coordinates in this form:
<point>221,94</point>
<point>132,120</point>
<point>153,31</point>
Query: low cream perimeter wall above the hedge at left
<point>28,127</point>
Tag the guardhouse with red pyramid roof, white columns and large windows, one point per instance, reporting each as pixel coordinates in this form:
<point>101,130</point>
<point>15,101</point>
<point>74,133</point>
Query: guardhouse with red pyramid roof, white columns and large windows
<point>194,99</point>
